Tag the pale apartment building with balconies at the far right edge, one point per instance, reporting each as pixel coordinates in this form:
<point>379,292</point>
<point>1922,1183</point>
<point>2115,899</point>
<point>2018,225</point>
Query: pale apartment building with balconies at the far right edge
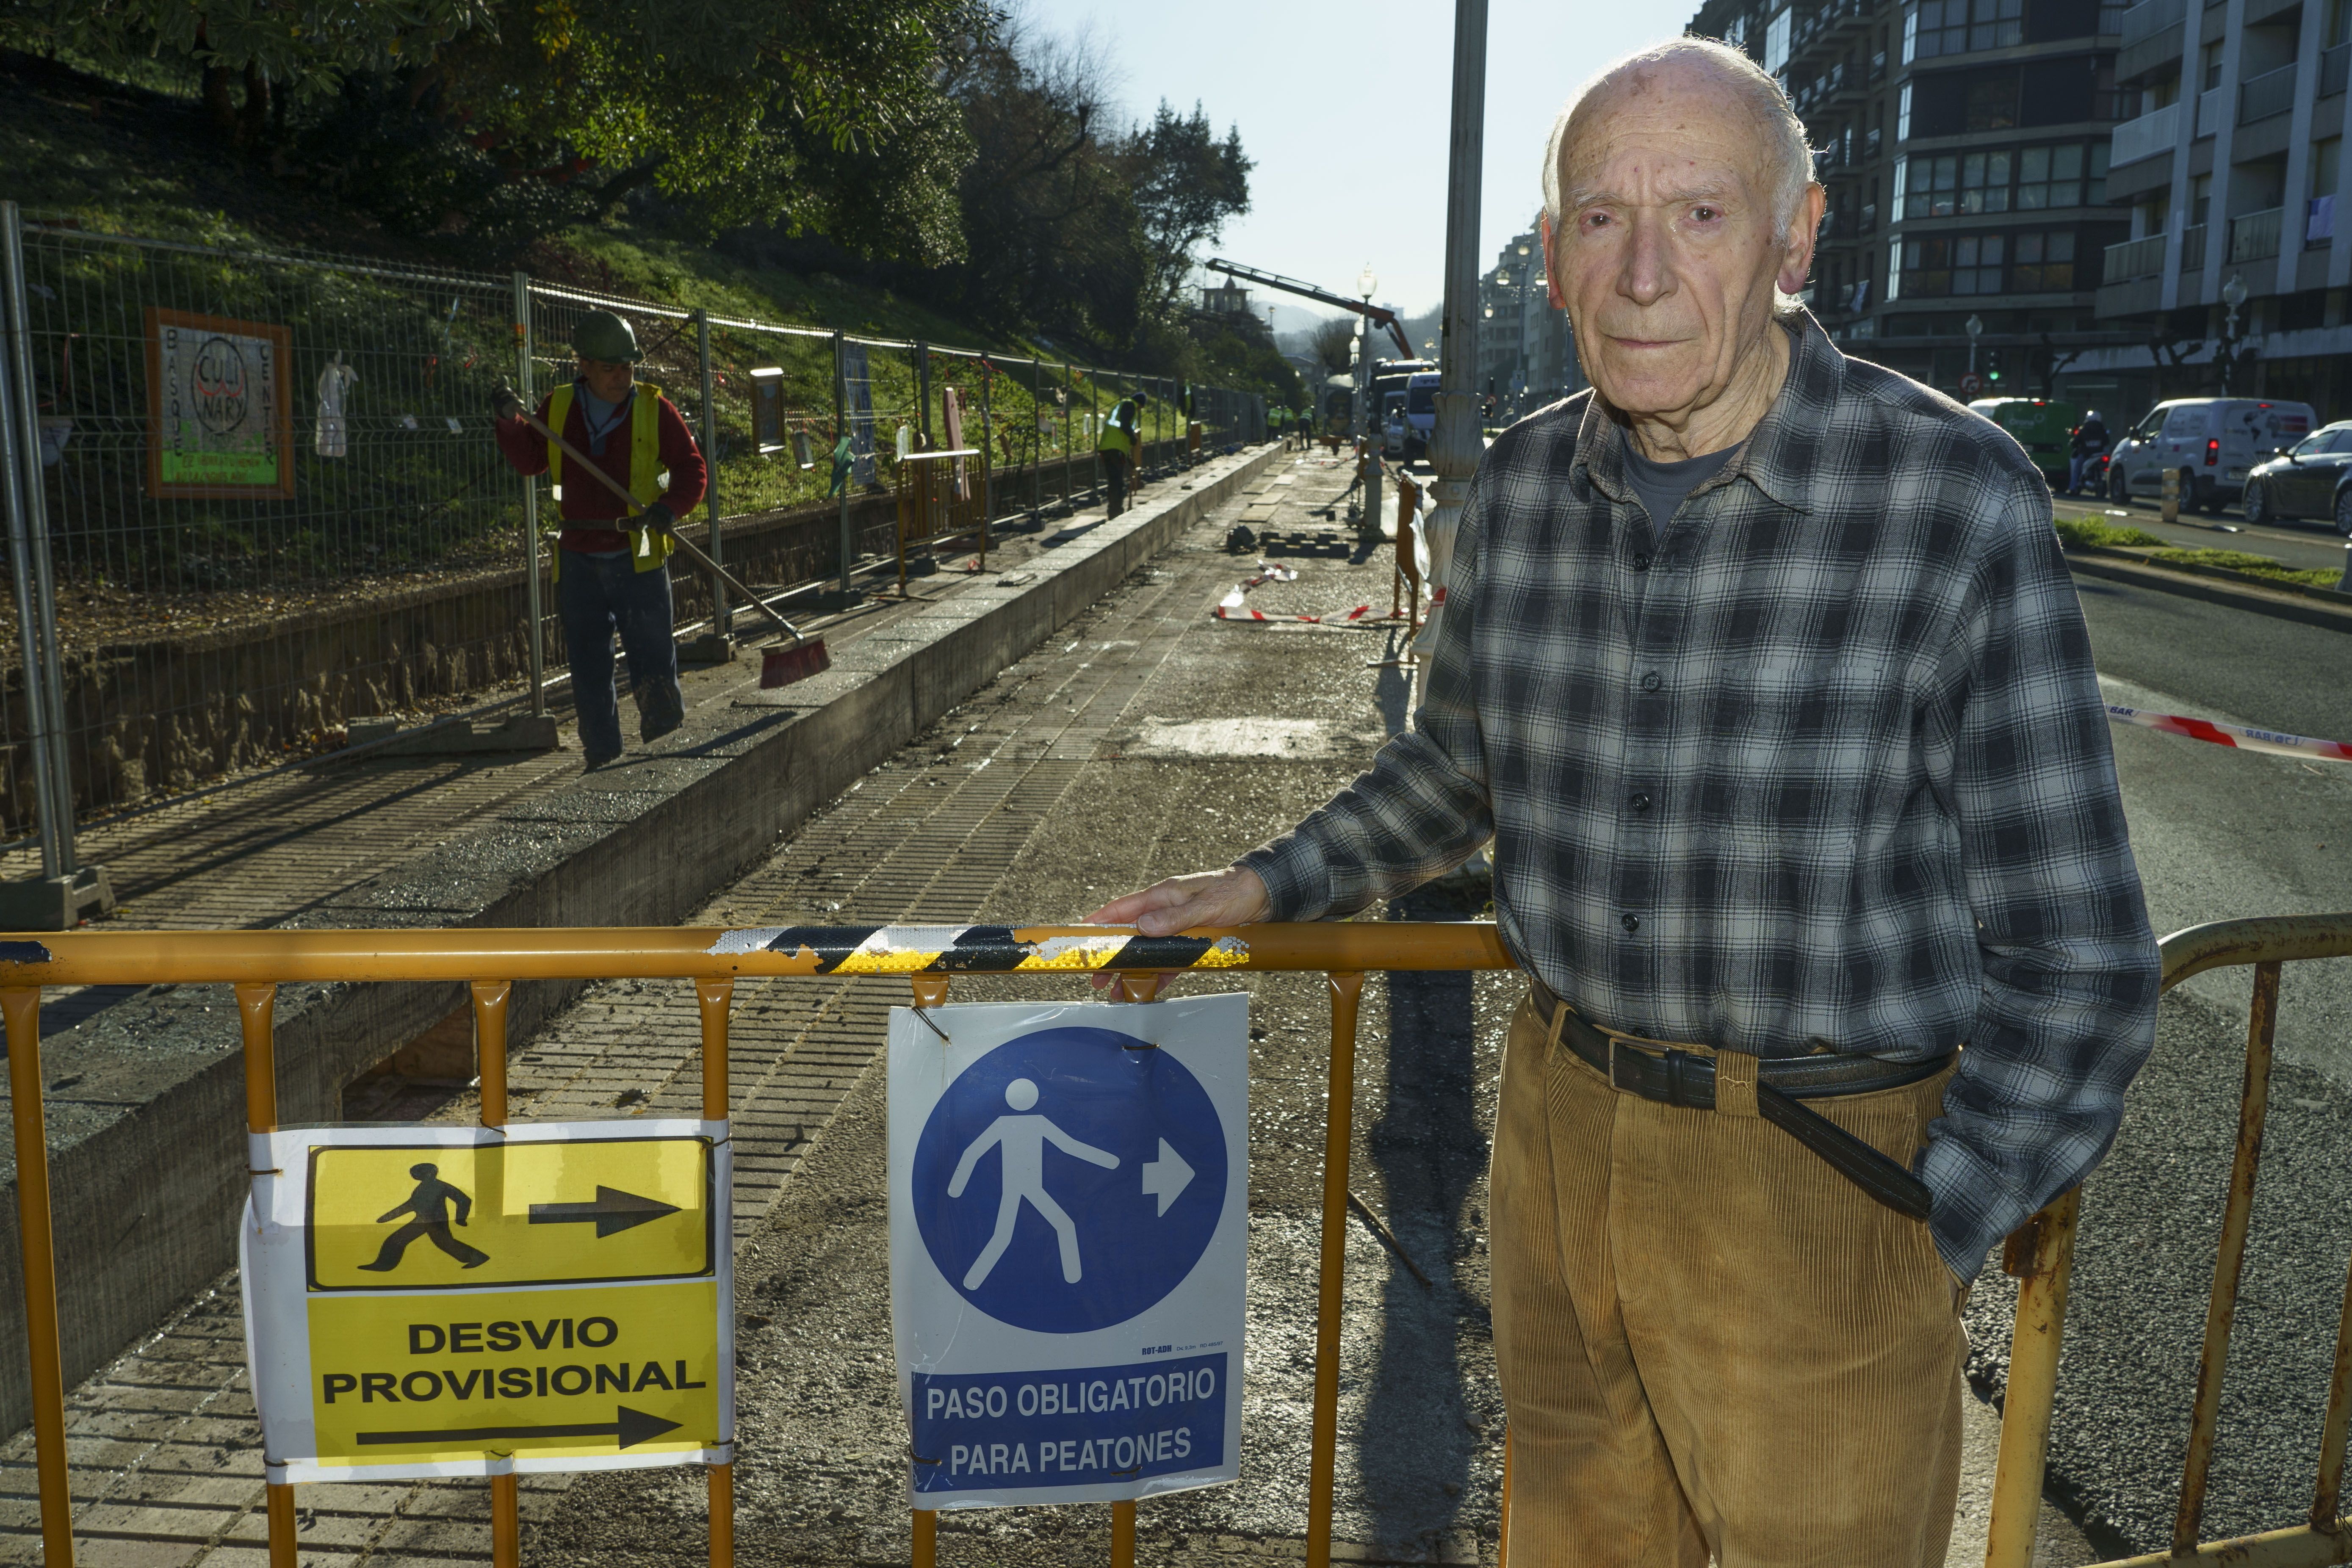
<point>2231,168</point>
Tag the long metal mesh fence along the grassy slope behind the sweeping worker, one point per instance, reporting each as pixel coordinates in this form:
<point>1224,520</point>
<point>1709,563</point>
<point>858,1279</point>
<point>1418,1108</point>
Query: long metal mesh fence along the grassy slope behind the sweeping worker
<point>255,497</point>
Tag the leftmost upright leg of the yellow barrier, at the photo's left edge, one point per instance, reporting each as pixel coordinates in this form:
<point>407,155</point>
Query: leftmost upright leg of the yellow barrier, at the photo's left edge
<point>39,1247</point>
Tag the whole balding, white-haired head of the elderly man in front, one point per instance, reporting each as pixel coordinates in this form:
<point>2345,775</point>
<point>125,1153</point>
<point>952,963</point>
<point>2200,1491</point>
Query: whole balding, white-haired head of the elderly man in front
<point>1681,208</point>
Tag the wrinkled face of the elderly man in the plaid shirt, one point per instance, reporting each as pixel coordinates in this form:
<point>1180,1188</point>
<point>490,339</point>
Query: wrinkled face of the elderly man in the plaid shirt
<point>1669,253</point>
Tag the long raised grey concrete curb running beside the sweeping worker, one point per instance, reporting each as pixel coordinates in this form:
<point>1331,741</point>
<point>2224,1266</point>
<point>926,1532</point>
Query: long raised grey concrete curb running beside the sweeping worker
<point>147,1108</point>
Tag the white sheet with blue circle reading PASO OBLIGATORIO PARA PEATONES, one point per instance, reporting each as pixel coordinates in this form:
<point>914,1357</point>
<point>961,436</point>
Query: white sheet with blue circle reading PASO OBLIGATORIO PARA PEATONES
<point>1069,1205</point>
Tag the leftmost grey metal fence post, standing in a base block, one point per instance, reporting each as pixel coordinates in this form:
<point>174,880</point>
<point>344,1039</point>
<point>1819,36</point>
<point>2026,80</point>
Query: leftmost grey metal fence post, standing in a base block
<point>69,890</point>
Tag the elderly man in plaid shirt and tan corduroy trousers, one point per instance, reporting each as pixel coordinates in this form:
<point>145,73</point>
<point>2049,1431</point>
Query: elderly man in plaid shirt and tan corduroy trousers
<point>1765,676</point>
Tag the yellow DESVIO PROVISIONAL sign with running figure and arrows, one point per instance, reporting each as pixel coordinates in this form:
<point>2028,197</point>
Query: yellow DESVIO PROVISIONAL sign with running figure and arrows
<point>432,1301</point>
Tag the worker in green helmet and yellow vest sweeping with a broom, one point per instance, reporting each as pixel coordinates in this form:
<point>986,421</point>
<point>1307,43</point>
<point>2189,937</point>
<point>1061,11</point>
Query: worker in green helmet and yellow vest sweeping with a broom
<point>613,563</point>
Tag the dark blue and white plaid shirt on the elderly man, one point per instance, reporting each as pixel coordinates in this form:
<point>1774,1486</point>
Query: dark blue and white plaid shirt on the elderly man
<point>1815,765</point>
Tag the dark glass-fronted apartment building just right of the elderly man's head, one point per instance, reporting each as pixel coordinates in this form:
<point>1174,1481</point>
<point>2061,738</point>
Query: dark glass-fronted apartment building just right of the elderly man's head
<point>1965,149</point>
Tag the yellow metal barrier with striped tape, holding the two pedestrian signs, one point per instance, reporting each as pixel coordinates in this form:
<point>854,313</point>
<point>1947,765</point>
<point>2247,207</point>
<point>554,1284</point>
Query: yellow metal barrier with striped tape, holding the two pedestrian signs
<point>493,960</point>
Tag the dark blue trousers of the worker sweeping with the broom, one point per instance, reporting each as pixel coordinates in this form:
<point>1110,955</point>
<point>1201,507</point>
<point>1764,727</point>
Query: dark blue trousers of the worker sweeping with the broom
<point>603,594</point>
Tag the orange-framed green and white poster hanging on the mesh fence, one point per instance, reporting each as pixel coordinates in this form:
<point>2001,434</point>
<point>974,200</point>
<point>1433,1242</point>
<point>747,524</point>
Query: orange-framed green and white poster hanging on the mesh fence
<point>220,422</point>
